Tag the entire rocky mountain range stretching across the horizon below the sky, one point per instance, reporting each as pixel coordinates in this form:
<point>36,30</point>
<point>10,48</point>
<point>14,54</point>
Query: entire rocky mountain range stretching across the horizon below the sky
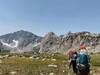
<point>24,41</point>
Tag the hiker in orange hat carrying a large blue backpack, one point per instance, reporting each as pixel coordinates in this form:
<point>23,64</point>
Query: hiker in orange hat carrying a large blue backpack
<point>83,61</point>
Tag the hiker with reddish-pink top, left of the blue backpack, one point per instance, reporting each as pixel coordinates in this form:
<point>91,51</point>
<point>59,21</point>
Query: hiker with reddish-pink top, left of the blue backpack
<point>72,53</point>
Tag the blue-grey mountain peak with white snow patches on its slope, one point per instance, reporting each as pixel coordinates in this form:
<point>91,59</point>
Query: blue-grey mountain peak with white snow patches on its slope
<point>23,39</point>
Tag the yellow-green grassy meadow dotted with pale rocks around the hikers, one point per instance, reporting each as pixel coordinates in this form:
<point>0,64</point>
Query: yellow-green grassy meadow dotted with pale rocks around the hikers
<point>26,66</point>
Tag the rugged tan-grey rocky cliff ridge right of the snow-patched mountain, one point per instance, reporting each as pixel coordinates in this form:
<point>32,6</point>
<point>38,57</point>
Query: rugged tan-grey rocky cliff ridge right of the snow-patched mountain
<point>53,43</point>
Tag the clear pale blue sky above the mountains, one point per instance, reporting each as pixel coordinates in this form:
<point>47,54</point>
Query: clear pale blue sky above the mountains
<point>42,16</point>
